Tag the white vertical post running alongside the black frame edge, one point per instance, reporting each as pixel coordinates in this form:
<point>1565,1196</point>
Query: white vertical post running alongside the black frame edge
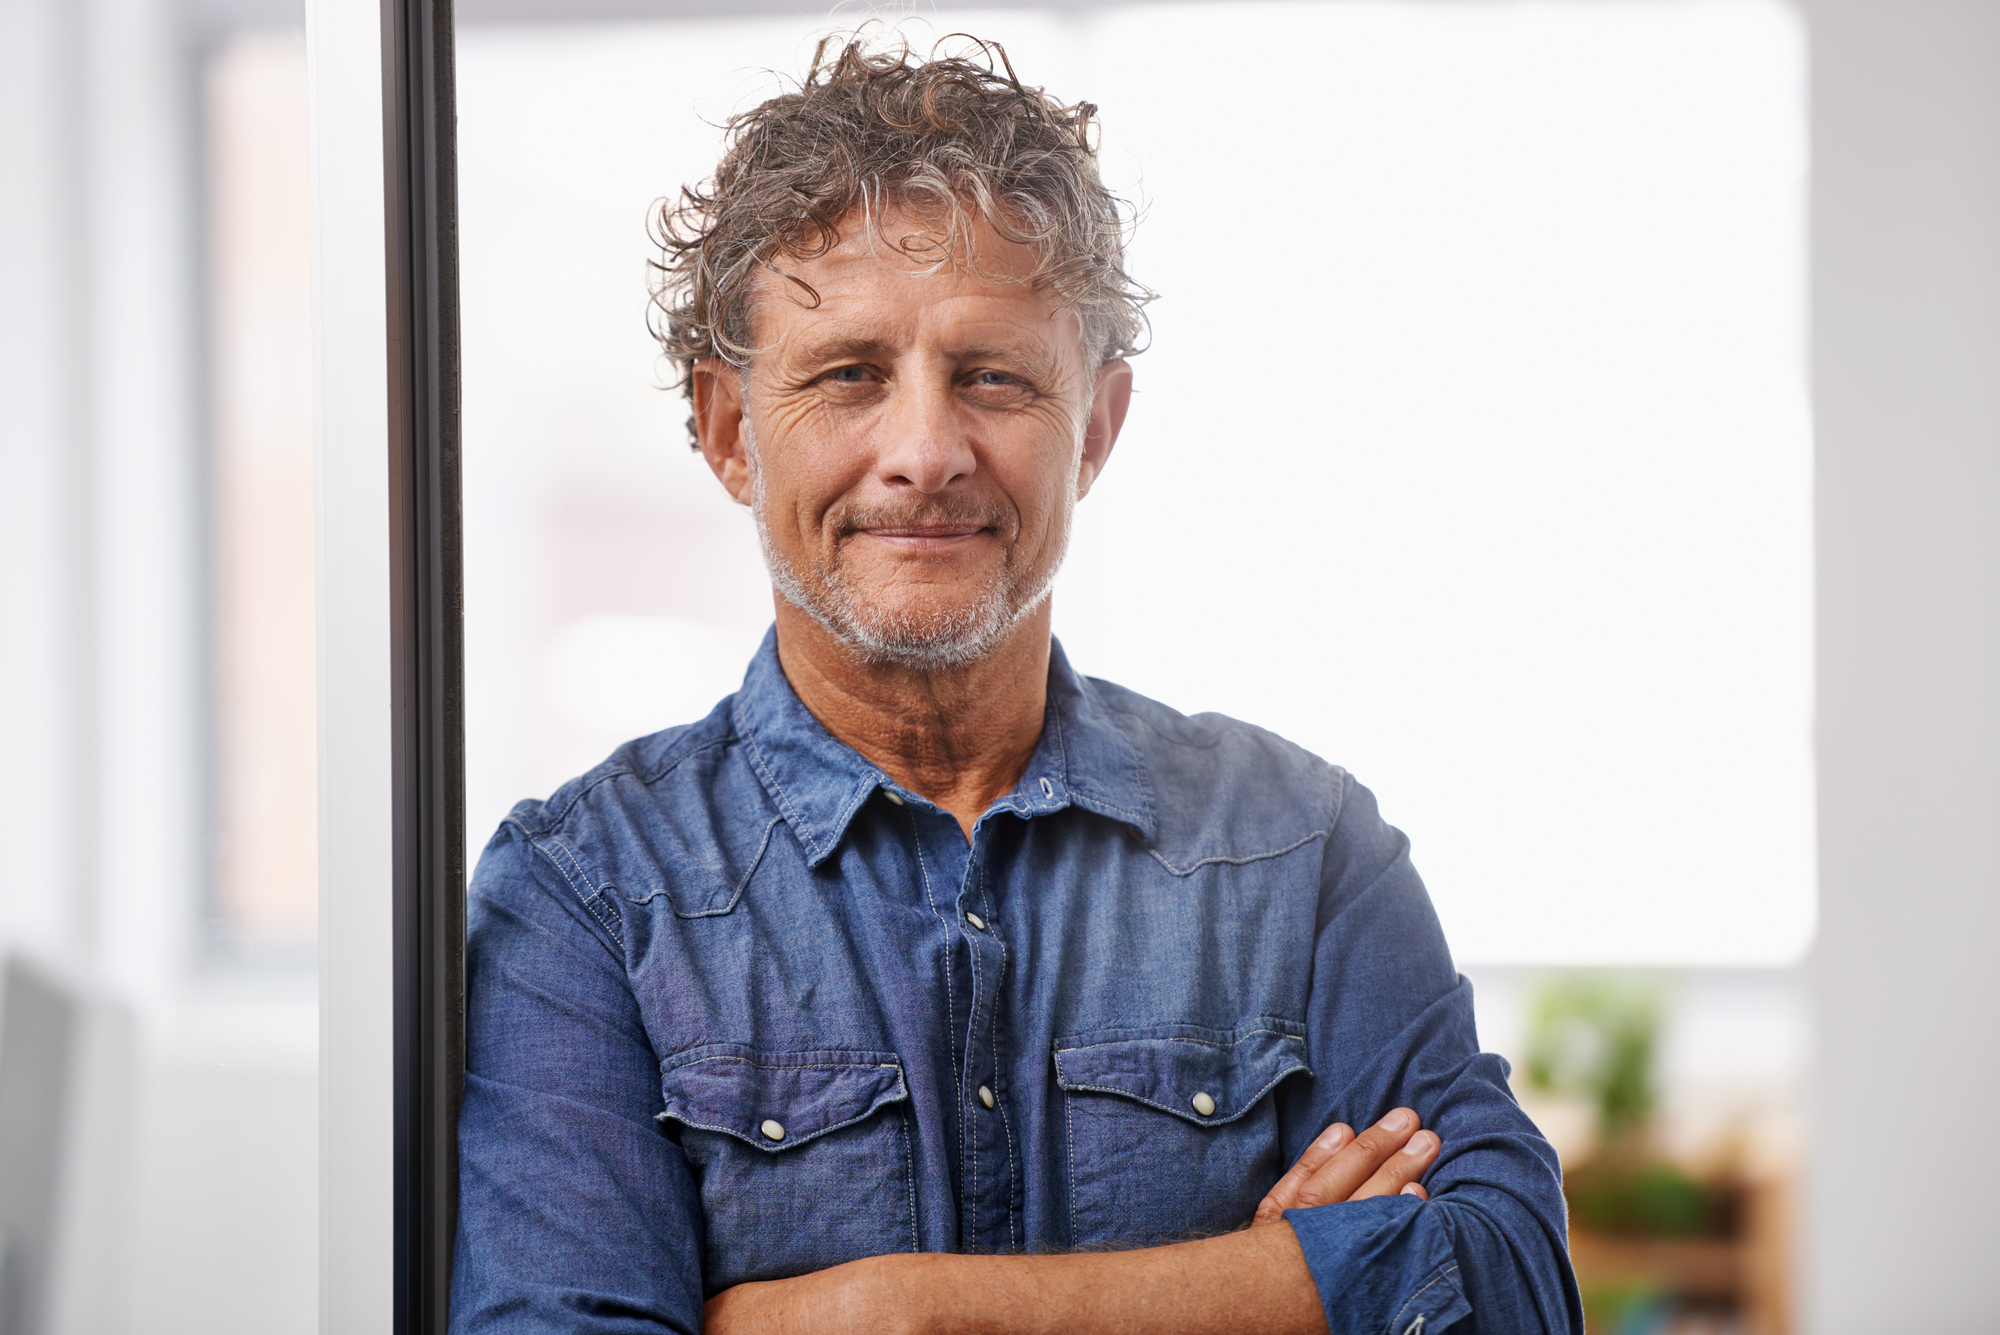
<point>351,459</point>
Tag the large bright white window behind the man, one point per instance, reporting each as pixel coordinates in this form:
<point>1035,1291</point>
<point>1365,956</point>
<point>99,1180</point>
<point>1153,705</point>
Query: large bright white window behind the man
<point>1471,453</point>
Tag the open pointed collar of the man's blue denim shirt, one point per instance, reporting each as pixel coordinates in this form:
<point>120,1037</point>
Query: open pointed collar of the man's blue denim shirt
<point>1085,758</point>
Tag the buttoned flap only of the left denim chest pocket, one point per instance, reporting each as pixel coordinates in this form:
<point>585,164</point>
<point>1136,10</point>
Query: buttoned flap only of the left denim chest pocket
<point>777,1100</point>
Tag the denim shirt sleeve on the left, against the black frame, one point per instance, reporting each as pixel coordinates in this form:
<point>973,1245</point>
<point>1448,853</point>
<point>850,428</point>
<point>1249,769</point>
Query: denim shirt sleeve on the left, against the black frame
<point>577,1212</point>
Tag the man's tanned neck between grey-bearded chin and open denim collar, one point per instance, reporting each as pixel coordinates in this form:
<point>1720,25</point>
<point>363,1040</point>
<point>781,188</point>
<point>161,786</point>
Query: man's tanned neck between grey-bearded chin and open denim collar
<point>959,736</point>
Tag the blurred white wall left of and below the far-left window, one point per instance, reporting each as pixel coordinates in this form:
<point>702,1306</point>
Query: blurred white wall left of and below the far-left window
<point>191,1146</point>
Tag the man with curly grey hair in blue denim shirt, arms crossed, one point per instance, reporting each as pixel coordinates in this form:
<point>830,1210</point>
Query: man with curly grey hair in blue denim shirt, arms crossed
<point>929,986</point>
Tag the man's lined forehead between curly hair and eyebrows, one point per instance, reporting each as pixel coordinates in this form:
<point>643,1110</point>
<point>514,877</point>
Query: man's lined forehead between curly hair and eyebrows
<point>895,283</point>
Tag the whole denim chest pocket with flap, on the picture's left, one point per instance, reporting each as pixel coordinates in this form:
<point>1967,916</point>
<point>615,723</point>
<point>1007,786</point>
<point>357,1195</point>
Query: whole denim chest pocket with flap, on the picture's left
<point>803,1158</point>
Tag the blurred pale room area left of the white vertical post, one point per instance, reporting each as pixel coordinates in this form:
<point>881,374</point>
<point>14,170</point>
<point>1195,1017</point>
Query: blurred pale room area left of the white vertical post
<point>159,1012</point>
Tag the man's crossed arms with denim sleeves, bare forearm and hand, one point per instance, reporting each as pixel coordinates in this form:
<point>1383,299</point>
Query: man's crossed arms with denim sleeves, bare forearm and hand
<point>577,1206</point>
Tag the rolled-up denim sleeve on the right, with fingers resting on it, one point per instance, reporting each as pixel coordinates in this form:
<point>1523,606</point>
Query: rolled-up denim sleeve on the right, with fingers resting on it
<point>1389,1026</point>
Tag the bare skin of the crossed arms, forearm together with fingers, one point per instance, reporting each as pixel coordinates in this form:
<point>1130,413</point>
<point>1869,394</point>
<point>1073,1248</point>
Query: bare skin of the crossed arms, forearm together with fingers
<point>1253,1282</point>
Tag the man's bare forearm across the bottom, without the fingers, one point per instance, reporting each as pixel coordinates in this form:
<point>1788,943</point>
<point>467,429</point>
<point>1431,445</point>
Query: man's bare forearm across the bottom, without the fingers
<point>1241,1284</point>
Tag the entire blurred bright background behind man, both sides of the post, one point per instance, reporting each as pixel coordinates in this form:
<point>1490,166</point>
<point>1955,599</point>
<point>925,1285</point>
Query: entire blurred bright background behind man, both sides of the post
<point>1575,417</point>
